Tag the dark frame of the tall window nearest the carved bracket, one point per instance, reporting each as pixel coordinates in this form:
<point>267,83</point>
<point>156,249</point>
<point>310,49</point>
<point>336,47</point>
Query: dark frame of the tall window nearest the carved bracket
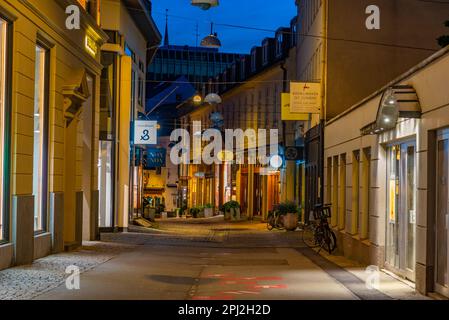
<point>45,139</point>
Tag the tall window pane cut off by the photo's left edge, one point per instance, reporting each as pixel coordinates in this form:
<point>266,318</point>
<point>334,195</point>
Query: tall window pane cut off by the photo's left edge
<point>4,130</point>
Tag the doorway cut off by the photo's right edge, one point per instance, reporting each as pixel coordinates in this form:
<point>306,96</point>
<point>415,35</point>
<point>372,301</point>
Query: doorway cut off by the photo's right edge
<point>442,216</point>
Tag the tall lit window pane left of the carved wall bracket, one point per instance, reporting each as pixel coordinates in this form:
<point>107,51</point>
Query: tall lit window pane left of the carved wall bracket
<point>40,150</point>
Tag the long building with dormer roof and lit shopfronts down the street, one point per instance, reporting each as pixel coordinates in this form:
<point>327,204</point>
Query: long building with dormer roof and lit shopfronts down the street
<point>251,91</point>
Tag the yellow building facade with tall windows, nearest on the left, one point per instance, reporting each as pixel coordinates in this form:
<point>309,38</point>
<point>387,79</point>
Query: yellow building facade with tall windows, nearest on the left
<point>49,99</point>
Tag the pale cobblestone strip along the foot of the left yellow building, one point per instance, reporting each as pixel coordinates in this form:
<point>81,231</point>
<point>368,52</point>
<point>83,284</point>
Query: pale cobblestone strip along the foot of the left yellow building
<point>27,282</point>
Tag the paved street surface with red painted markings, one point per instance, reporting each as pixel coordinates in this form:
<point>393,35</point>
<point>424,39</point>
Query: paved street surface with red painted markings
<point>211,259</point>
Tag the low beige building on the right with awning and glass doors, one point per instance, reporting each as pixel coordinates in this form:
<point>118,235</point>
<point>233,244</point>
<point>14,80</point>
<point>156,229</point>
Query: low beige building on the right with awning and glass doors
<point>388,176</point>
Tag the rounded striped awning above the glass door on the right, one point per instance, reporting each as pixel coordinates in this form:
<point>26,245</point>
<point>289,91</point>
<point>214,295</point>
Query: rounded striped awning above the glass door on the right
<point>397,102</point>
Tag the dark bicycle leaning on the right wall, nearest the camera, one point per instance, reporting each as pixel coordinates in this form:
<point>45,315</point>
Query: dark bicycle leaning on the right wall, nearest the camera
<point>318,233</point>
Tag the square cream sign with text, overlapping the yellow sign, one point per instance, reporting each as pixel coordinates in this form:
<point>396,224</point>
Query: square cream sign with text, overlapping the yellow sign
<point>305,97</point>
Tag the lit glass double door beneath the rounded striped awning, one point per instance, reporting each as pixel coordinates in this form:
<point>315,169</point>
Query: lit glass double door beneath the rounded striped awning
<point>401,209</point>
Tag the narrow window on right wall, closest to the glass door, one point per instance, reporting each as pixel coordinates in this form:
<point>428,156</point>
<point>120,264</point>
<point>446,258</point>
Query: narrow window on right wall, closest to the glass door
<point>365,190</point>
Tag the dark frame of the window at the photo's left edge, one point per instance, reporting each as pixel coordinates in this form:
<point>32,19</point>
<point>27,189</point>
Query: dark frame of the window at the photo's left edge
<point>5,189</point>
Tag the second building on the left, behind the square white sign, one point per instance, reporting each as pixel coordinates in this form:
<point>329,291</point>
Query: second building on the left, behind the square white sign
<point>133,36</point>
